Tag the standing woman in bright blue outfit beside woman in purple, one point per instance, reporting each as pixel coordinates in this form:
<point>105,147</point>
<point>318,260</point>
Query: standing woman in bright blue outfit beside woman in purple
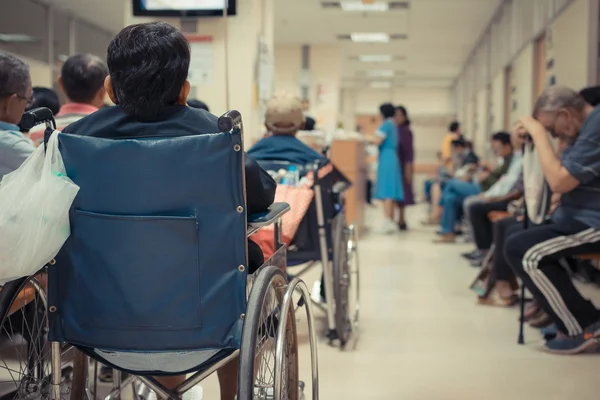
<point>389,174</point>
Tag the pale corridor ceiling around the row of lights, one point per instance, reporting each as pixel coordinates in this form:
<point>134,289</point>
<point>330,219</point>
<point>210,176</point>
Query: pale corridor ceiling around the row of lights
<point>440,36</point>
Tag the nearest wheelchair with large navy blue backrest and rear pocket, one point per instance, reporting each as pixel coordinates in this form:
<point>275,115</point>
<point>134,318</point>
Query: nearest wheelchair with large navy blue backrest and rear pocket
<point>155,283</point>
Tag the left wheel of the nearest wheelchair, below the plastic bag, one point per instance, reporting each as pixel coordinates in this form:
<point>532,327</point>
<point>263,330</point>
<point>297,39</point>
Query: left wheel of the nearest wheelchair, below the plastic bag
<point>25,353</point>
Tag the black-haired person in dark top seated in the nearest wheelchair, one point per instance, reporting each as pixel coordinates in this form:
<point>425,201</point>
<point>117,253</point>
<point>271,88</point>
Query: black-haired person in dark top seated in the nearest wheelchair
<point>148,65</point>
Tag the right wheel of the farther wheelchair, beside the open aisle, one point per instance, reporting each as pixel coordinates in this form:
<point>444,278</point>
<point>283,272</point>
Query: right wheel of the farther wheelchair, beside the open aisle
<point>345,274</point>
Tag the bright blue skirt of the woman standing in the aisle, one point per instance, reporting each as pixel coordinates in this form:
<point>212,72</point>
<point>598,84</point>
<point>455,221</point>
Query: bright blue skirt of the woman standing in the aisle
<point>389,177</point>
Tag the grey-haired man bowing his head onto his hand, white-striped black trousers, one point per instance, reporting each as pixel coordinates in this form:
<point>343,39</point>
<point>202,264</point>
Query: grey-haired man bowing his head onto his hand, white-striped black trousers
<point>535,253</point>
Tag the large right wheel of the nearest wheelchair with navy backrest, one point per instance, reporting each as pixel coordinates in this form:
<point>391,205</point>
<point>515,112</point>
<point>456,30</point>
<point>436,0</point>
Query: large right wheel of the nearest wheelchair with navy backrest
<point>257,354</point>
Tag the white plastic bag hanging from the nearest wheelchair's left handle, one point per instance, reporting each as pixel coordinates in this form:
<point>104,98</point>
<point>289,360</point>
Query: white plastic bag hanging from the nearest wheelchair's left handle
<point>34,212</point>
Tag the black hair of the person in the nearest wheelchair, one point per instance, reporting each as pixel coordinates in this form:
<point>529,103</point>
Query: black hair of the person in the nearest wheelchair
<point>148,66</point>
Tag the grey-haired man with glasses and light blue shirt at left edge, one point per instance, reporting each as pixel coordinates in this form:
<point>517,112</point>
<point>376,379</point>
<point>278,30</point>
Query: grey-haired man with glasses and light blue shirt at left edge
<point>15,95</point>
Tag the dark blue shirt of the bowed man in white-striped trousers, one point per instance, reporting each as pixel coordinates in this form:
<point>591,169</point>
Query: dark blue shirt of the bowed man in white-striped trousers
<point>582,160</point>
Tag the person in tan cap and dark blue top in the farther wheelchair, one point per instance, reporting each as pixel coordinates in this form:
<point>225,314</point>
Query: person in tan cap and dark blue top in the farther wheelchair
<point>283,119</point>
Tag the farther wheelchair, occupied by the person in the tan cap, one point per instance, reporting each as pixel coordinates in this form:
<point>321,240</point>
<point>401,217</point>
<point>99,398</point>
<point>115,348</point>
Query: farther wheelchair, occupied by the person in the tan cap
<point>324,238</point>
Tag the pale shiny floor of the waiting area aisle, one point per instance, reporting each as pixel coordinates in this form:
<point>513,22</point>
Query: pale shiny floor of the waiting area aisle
<point>424,338</point>
